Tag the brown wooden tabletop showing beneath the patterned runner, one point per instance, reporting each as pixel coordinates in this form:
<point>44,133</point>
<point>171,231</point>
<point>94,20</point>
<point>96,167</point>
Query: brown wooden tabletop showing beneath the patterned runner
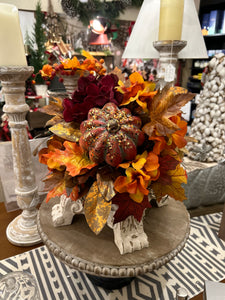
<point>8,250</point>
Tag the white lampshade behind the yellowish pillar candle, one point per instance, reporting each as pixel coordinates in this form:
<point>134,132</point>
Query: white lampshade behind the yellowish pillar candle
<point>146,29</point>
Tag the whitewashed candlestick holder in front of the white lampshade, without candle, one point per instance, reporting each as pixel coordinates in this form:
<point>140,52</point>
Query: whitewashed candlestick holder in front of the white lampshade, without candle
<point>168,55</point>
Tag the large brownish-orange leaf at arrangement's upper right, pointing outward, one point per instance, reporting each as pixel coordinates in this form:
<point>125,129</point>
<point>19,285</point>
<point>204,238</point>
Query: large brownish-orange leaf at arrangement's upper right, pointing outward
<point>163,106</point>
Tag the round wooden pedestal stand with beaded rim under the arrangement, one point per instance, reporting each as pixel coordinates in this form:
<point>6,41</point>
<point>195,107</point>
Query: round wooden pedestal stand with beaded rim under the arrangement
<point>77,246</point>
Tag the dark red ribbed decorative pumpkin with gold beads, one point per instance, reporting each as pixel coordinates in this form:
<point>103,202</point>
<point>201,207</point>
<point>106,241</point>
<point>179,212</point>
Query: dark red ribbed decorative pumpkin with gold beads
<point>111,134</point>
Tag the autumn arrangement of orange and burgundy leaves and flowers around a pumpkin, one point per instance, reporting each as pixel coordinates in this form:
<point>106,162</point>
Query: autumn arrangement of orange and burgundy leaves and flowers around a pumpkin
<point>116,142</point>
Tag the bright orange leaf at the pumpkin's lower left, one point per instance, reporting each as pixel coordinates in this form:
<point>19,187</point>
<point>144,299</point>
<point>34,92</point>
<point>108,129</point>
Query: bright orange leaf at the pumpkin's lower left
<point>74,158</point>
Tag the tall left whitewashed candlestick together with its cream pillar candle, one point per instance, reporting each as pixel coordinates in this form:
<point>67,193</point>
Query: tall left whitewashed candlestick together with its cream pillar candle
<point>22,231</point>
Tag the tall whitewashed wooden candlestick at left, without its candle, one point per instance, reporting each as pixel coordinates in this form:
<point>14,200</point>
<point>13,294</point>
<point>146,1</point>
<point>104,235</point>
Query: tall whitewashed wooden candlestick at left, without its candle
<point>22,231</point>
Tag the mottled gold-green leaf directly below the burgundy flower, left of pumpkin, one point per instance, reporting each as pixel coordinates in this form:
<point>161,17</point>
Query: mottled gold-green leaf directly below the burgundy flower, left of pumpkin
<point>67,131</point>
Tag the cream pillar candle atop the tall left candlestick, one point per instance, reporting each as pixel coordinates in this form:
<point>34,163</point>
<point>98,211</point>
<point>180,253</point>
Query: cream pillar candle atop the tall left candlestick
<point>12,52</point>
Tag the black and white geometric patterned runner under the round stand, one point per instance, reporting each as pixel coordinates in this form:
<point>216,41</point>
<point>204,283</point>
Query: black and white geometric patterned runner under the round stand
<point>202,258</point>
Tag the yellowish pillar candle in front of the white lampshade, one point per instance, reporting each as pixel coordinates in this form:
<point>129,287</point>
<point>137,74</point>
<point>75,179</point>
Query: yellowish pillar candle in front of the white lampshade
<point>171,19</point>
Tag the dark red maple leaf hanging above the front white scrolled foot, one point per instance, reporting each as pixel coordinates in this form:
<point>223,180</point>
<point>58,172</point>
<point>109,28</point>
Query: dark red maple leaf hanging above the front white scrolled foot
<point>129,207</point>
